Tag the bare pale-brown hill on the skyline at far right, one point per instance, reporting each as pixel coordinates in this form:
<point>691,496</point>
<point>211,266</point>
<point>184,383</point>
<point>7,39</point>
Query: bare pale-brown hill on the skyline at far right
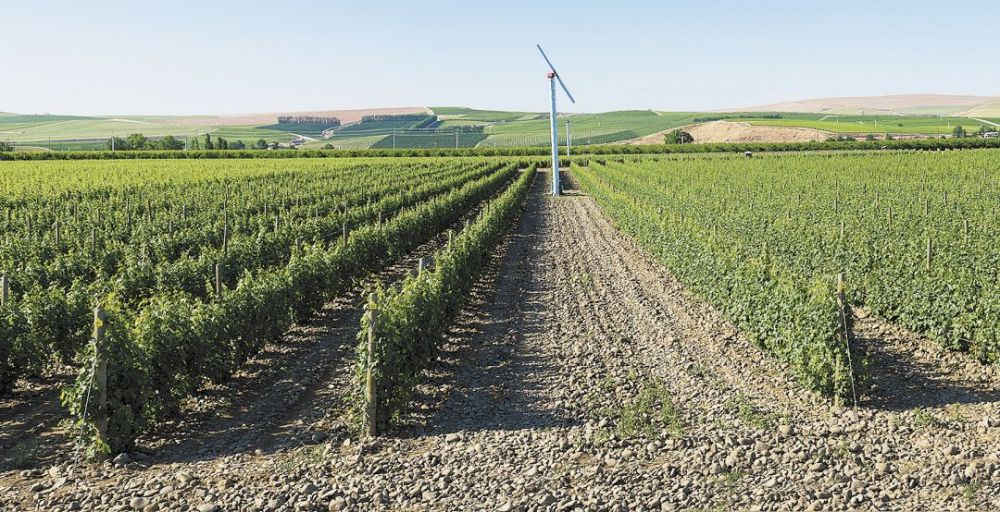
<point>902,104</point>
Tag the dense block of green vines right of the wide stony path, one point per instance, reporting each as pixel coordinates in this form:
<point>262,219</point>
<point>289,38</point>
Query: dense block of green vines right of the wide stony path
<point>913,237</point>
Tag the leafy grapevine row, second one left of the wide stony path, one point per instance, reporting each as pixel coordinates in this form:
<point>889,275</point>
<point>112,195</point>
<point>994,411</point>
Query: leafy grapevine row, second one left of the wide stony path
<point>155,357</point>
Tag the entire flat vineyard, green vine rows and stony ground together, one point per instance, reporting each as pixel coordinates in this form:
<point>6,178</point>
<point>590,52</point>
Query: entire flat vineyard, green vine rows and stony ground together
<point>706,330</point>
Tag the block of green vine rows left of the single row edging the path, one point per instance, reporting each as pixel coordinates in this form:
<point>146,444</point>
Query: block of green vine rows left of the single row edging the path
<point>177,254</point>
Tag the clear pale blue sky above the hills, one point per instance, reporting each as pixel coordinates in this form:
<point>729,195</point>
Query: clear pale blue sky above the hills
<point>102,57</point>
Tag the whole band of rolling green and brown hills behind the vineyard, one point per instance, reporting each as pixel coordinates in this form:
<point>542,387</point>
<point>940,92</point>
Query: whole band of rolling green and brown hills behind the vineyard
<point>919,115</point>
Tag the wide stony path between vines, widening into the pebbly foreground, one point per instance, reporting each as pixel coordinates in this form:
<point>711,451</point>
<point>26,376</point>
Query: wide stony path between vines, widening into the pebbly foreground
<point>583,377</point>
